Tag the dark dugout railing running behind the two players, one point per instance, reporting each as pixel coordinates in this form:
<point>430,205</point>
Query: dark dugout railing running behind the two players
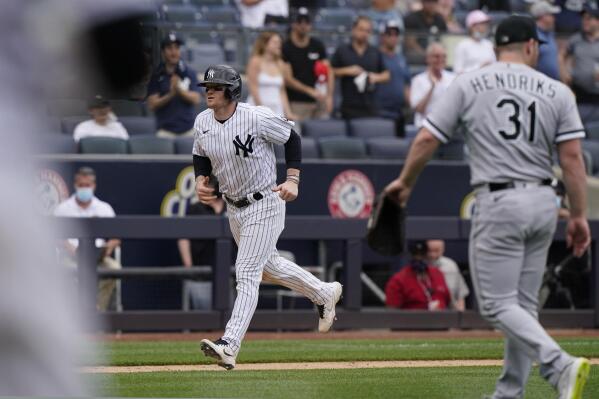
<point>351,315</point>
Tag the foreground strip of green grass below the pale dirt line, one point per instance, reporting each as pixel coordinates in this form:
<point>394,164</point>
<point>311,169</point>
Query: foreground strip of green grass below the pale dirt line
<point>417,383</point>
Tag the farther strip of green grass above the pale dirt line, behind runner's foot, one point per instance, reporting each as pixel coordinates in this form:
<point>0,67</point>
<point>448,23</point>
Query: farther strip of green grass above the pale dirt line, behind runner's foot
<point>186,352</point>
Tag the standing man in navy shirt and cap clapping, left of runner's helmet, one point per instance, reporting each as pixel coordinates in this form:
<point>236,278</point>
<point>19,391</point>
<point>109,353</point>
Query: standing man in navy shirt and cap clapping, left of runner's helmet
<point>173,91</point>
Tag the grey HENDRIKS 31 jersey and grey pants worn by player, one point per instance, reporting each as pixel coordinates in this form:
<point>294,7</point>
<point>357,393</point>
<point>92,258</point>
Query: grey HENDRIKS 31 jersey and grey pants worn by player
<point>512,116</point>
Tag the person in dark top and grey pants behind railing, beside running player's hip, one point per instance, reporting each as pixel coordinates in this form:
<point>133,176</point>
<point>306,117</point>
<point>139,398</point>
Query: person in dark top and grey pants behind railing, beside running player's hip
<point>201,252</point>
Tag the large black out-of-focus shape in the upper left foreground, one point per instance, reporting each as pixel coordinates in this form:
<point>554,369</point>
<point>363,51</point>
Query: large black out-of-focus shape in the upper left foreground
<point>117,51</point>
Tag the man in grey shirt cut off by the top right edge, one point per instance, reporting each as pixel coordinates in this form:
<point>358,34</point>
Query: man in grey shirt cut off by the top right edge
<point>580,66</point>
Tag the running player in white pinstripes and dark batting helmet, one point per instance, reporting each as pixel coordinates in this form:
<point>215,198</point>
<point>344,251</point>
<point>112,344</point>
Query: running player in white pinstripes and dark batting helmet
<point>234,141</point>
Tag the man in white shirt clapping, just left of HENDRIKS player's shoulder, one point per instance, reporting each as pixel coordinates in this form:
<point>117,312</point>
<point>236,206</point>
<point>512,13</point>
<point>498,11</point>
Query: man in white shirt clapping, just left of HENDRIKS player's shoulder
<point>428,87</point>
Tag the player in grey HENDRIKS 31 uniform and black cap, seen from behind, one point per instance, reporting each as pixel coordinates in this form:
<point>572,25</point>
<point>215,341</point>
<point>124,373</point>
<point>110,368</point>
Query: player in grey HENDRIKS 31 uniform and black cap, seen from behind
<point>513,116</point>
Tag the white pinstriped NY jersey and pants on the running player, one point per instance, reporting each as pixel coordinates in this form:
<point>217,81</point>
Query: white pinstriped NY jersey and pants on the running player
<point>243,169</point>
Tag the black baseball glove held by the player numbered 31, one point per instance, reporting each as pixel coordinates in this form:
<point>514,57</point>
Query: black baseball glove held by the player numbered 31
<point>386,226</point>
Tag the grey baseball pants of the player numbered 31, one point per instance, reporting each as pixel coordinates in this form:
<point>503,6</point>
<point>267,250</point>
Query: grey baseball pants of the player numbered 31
<point>511,233</point>
